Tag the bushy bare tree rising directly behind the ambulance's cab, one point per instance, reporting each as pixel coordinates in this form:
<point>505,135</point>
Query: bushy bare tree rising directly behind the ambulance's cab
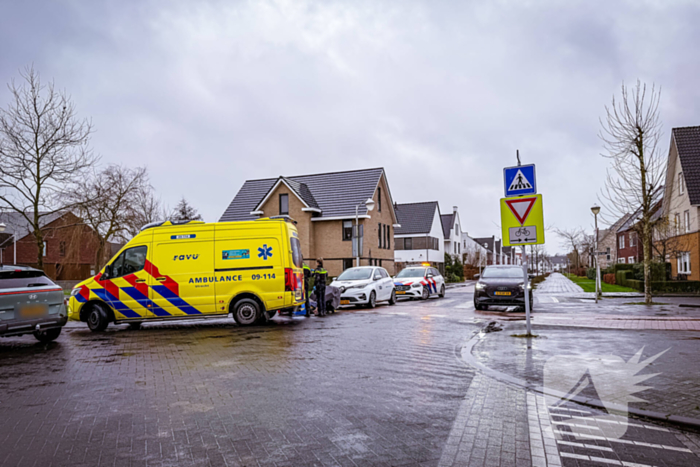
<point>106,203</point>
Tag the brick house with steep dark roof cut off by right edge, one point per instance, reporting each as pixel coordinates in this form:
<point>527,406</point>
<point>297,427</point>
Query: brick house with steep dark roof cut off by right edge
<point>679,242</point>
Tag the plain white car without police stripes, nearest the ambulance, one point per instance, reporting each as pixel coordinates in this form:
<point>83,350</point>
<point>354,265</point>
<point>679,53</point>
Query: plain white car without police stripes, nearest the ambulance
<point>365,285</point>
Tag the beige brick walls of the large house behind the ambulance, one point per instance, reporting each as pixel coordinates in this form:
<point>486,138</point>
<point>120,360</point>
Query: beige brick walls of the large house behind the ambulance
<point>324,239</point>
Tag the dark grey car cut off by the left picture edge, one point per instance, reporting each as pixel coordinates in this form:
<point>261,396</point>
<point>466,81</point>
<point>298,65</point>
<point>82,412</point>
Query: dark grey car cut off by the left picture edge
<point>30,304</point>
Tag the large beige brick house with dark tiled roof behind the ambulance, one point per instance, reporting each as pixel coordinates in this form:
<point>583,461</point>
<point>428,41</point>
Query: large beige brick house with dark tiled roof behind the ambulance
<point>323,205</point>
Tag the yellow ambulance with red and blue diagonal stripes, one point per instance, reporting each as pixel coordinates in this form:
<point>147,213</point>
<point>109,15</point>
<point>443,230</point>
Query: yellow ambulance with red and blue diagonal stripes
<point>191,270</point>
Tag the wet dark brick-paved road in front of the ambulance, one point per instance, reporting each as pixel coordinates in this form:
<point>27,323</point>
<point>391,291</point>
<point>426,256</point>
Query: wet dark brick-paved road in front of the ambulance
<point>361,387</point>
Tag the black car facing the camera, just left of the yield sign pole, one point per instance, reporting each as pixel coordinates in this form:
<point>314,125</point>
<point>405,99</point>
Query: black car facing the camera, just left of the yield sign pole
<point>501,286</point>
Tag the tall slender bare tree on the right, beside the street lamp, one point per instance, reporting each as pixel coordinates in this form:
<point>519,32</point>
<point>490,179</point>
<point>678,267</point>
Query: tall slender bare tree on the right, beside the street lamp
<point>631,132</point>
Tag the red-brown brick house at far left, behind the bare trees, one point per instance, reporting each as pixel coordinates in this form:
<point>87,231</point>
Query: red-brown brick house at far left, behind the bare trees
<point>70,246</point>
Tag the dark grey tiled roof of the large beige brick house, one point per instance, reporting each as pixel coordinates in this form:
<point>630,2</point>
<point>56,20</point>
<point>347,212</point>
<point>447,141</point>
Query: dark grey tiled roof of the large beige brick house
<point>336,194</point>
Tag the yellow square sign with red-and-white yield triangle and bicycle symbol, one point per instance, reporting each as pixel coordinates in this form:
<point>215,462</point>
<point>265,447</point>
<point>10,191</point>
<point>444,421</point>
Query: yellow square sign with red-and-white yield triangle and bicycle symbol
<point>522,220</point>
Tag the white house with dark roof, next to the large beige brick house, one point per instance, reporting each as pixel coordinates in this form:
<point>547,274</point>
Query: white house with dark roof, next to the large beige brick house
<point>419,239</point>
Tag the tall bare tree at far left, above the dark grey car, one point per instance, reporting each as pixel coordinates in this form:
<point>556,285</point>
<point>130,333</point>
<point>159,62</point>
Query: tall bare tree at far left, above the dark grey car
<point>43,149</point>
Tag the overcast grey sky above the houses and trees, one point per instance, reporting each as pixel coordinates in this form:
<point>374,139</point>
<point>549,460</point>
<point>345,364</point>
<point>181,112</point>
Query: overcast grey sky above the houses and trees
<point>208,94</point>
